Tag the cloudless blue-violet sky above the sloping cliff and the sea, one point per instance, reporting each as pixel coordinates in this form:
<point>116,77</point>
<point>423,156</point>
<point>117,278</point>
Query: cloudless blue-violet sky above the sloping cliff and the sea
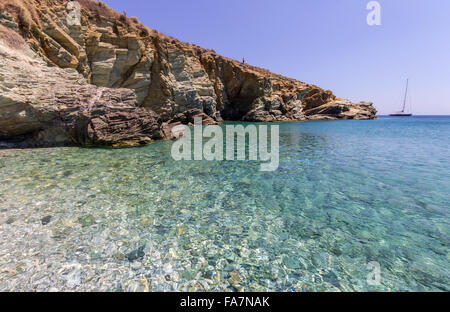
<point>324,42</point>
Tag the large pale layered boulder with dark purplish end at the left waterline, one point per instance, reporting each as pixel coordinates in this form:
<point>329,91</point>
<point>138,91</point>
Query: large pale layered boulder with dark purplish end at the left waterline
<point>47,106</point>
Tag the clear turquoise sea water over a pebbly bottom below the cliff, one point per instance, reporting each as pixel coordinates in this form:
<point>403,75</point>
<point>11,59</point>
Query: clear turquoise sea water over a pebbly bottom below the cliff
<point>346,193</point>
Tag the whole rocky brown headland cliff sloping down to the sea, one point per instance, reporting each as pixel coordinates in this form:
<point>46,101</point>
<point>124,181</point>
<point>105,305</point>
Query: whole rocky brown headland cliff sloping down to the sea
<point>141,71</point>
